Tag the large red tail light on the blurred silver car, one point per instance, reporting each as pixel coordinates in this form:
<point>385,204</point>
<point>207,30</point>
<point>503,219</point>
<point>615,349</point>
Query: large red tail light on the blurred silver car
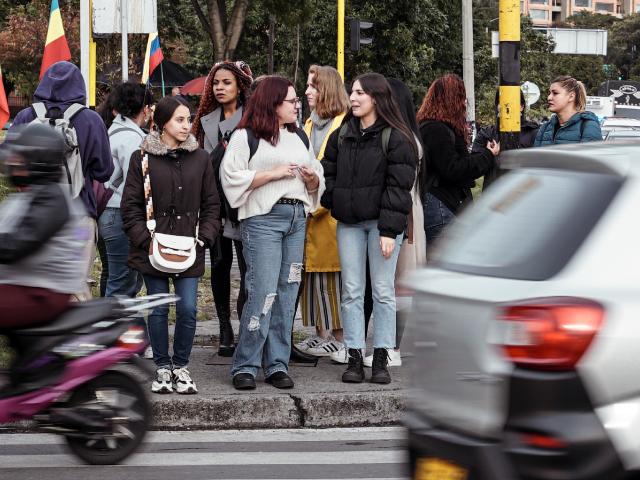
<point>550,334</point>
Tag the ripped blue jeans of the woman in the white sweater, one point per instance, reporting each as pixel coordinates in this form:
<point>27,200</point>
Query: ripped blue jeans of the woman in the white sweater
<point>273,247</point>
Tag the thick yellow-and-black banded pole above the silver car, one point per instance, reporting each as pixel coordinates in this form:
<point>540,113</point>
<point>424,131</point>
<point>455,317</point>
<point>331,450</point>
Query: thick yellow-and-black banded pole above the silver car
<point>509,26</point>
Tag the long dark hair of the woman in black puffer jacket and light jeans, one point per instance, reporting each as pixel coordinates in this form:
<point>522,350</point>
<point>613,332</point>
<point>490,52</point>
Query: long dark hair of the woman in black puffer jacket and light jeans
<point>377,87</point>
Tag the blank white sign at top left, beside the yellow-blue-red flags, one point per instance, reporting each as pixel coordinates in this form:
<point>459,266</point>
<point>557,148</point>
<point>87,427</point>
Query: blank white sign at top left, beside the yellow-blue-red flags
<point>142,16</point>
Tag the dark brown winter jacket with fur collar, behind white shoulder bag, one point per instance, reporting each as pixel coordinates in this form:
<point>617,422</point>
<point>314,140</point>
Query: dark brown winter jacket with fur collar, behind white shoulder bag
<point>183,185</point>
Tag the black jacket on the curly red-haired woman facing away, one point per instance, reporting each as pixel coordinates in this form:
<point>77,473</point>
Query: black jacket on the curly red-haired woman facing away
<point>450,166</point>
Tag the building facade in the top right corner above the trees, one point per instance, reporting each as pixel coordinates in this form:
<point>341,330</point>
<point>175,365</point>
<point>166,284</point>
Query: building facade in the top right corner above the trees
<point>548,12</point>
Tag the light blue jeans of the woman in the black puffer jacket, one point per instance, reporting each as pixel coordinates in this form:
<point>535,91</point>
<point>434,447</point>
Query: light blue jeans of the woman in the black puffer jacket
<point>355,242</point>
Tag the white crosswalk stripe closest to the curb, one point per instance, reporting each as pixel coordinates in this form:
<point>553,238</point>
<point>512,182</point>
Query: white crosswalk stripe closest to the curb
<point>283,435</point>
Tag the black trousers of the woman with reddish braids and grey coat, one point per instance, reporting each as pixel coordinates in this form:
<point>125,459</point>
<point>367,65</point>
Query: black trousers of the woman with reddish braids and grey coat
<point>221,262</point>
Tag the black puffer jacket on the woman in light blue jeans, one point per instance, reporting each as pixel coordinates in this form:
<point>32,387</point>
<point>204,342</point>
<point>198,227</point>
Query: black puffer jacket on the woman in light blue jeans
<point>364,185</point>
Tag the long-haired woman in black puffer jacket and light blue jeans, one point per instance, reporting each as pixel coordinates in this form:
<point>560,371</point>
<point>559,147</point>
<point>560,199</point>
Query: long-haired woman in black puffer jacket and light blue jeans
<point>370,167</point>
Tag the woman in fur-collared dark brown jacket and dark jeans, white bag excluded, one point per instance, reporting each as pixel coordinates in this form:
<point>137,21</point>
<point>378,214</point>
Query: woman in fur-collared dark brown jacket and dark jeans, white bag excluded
<point>185,203</point>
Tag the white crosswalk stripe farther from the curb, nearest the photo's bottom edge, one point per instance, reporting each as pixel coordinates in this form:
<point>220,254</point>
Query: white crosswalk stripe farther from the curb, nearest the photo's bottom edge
<point>210,458</point>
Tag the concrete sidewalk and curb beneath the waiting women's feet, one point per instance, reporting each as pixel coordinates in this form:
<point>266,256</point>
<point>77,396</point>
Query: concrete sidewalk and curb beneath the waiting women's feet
<point>319,398</point>
